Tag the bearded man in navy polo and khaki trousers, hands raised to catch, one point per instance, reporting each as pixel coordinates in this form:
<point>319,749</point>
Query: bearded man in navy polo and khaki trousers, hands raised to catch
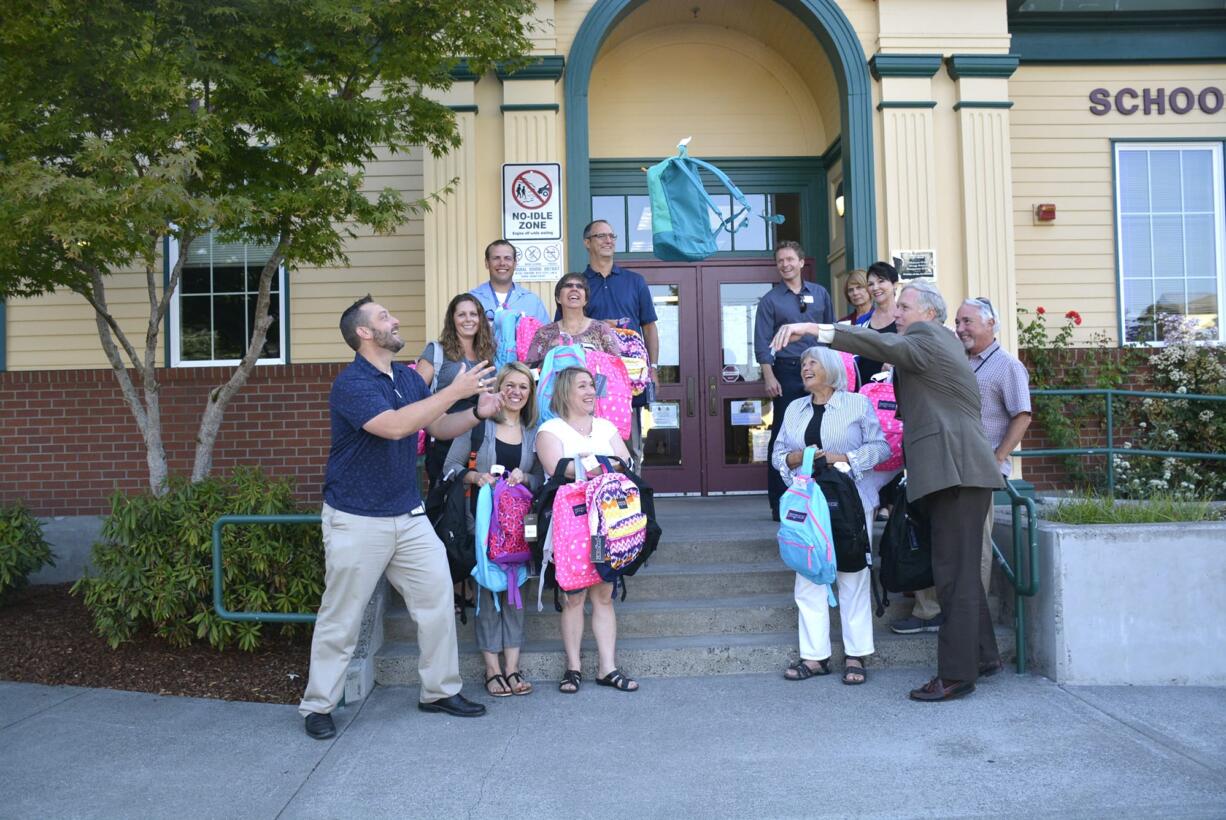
<point>375,520</point>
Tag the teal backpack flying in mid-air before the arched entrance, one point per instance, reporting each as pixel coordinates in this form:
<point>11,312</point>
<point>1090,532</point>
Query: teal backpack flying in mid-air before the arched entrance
<point>681,209</point>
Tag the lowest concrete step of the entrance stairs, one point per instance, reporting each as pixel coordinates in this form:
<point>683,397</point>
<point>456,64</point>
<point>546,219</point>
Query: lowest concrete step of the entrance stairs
<point>665,658</point>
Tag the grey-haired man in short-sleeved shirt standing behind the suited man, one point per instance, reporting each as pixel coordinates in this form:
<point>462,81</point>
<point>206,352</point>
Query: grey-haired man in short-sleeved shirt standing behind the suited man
<point>1005,389</point>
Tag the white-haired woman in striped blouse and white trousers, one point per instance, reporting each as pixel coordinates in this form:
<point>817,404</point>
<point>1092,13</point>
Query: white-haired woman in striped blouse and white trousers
<point>845,430</point>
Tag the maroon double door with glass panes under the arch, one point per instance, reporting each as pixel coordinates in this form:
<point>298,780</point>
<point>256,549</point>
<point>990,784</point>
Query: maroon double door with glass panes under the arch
<point>709,428</point>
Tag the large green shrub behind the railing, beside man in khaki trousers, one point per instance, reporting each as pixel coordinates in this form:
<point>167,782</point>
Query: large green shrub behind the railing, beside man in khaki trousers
<point>155,563</point>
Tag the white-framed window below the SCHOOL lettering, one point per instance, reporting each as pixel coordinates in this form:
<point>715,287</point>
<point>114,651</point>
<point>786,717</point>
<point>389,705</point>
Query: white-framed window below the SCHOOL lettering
<point>1169,229</point>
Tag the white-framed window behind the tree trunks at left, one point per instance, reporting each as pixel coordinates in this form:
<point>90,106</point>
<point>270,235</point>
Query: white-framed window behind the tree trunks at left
<point>214,311</point>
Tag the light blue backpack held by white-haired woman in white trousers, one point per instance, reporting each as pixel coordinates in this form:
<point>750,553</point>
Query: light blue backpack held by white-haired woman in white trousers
<point>805,541</point>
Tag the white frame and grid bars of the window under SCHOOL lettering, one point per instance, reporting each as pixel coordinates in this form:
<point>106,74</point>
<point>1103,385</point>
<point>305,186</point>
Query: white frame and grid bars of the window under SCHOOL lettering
<point>1219,204</point>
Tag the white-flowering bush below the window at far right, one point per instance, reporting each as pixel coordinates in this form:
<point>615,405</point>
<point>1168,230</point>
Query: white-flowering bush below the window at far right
<point>1187,365</point>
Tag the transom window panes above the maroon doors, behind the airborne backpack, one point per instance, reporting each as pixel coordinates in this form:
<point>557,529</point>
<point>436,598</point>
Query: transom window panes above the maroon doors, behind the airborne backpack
<point>631,219</point>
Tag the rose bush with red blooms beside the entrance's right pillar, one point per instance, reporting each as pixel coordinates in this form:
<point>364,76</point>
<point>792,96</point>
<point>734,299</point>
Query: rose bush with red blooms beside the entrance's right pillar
<point>1067,420</point>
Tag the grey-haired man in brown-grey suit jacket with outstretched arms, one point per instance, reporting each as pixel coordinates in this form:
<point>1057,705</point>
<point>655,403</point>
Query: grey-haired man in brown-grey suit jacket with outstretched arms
<point>951,470</point>
